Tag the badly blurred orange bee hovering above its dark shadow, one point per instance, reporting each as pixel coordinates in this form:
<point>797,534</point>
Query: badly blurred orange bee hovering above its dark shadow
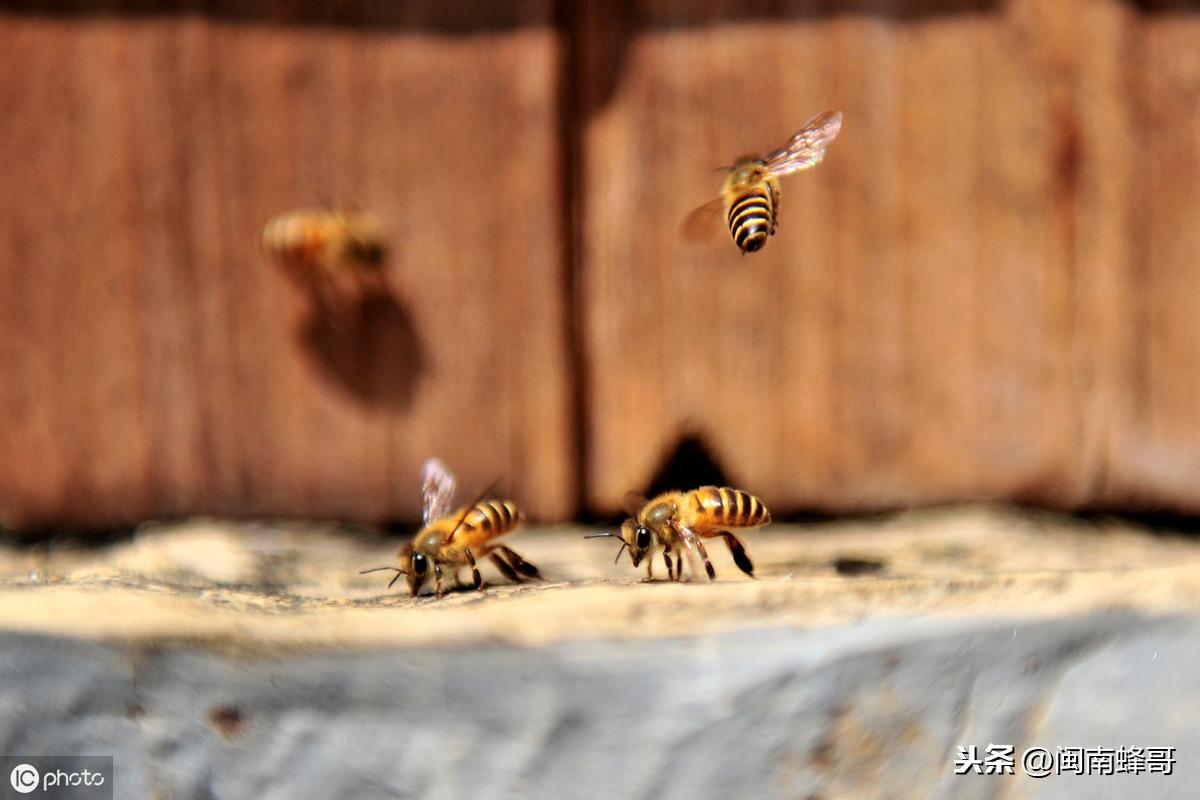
<point>321,249</point>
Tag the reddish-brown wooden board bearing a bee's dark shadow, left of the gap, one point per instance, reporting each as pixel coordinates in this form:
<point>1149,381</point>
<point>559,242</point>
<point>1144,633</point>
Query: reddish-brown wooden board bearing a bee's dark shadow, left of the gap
<point>154,365</point>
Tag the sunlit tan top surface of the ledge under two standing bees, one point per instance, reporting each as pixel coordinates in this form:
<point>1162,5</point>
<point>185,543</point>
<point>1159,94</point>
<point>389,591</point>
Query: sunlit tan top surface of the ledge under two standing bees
<point>265,586</point>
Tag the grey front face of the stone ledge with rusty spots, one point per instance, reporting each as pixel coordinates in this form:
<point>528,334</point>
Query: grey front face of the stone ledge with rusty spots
<point>867,711</point>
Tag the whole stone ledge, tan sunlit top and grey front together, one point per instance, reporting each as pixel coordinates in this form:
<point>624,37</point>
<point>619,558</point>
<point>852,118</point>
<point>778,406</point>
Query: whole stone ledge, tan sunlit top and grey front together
<point>254,661</point>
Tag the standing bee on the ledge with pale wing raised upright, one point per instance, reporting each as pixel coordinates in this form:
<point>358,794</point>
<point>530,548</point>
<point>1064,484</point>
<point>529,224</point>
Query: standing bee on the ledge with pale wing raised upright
<point>458,539</point>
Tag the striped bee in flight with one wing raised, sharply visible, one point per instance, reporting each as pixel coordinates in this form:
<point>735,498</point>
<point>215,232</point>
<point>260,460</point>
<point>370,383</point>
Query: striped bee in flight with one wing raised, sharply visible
<point>751,195</point>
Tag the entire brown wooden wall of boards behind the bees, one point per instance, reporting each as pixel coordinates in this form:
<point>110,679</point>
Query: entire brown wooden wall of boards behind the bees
<point>988,291</point>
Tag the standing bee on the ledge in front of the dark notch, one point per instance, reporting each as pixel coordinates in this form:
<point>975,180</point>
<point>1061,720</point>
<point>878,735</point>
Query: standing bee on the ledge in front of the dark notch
<point>677,522</point>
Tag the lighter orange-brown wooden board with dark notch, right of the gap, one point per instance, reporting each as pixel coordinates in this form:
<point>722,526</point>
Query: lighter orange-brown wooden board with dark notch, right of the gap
<point>988,290</point>
